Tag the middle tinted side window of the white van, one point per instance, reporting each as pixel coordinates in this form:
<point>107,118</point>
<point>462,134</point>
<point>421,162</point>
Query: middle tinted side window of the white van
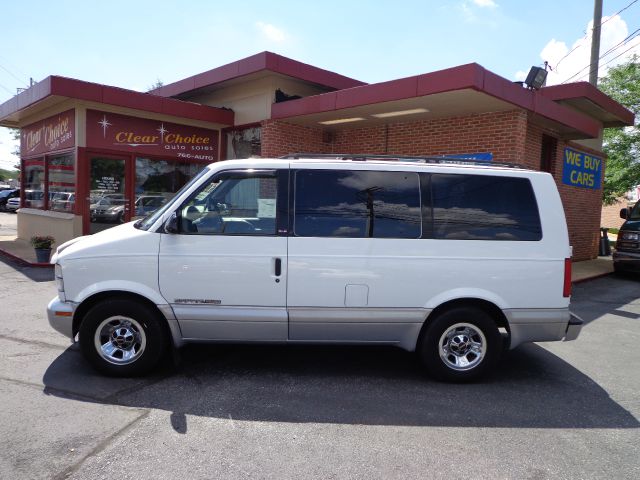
<point>357,204</point>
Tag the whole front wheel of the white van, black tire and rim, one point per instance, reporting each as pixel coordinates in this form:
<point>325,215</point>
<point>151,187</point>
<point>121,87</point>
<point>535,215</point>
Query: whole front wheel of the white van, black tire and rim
<point>122,338</point>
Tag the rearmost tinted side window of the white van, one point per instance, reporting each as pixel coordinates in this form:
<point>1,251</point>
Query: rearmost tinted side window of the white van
<point>482,207</point>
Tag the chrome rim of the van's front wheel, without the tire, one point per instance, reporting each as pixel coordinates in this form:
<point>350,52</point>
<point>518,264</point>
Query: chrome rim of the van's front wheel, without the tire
<point>120,340</point>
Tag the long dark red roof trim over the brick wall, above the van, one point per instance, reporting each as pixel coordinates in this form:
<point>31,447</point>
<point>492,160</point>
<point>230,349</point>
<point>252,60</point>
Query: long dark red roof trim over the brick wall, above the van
<point>470,76</point>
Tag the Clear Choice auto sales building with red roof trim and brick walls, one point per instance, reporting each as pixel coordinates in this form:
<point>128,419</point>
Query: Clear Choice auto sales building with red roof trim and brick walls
<point>84,144</point>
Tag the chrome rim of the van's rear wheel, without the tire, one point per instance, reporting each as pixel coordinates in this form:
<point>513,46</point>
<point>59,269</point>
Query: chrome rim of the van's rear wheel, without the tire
<point>462,346</point>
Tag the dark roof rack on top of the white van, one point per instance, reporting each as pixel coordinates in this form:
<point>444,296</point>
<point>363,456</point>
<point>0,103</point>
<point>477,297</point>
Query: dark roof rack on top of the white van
<point>435,160</point>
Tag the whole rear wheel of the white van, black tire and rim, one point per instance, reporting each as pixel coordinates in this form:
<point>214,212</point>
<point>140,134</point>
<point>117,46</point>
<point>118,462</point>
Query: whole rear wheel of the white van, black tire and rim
<point>460,345</point>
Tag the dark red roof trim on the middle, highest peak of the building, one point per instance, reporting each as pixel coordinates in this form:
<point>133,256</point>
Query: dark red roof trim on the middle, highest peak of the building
<point>256,63</point>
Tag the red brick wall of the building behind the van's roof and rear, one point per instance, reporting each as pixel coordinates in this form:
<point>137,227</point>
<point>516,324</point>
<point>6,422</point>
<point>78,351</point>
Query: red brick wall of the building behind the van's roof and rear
<point>510,136</point>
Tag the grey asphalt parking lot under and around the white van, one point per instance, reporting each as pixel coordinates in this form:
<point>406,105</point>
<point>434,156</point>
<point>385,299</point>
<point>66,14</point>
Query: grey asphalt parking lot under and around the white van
<point>555,410</point>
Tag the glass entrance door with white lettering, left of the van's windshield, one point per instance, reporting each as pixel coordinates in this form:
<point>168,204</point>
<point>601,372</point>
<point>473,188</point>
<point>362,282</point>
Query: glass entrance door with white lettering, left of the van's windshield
<point>109,200</point>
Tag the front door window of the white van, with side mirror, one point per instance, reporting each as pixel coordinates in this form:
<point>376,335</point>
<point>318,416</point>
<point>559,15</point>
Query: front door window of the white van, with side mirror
<point>232,204</point>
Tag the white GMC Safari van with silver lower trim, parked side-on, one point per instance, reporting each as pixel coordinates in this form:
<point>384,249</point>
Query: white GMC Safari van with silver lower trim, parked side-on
<point>453,261</point>
